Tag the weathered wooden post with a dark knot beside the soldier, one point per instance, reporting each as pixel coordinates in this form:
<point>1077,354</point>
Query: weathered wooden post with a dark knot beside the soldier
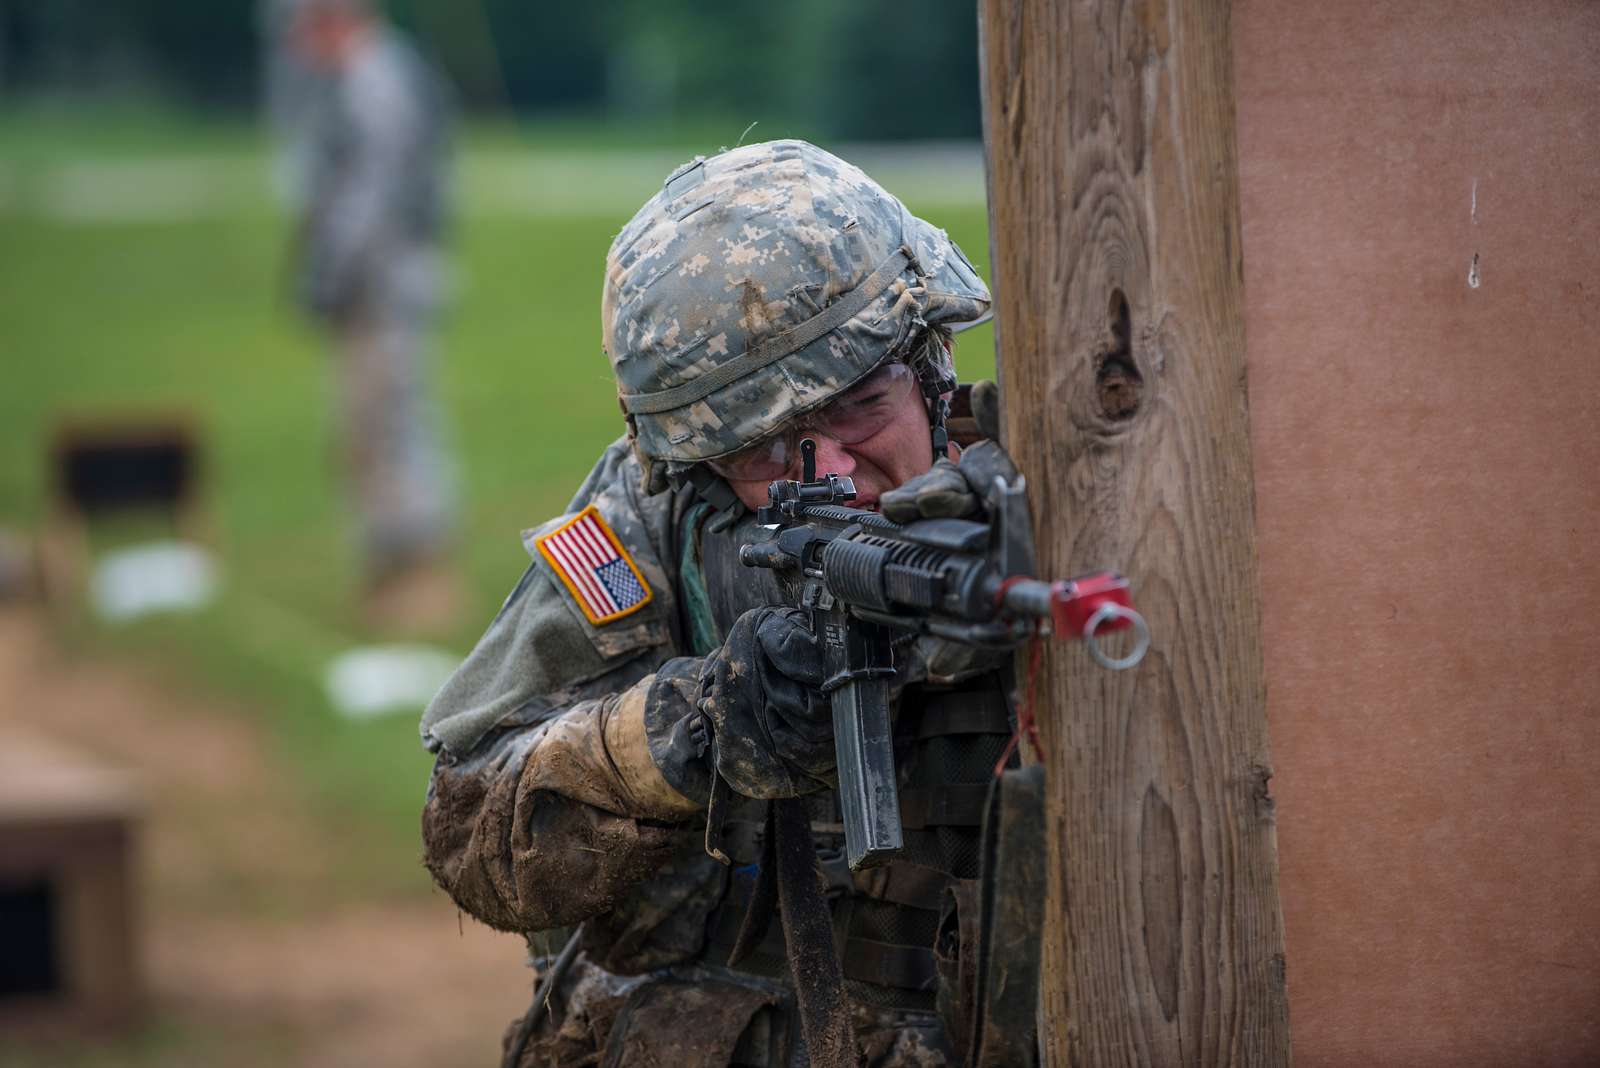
<point>1114,218</point>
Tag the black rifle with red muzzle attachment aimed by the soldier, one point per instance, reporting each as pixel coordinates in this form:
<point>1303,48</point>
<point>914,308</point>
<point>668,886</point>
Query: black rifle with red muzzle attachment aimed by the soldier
<point>863,578</point>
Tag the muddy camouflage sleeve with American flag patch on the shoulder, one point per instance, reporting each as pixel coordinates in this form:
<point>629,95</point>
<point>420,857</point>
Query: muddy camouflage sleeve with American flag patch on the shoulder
<point>546,803</point>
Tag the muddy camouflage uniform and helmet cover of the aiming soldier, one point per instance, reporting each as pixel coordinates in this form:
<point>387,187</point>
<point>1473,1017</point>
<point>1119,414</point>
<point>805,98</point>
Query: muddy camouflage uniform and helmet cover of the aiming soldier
<point>561,792</point>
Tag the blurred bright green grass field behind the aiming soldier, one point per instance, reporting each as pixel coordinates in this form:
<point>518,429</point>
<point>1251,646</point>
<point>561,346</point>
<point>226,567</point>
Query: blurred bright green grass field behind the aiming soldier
<point>142,271</point>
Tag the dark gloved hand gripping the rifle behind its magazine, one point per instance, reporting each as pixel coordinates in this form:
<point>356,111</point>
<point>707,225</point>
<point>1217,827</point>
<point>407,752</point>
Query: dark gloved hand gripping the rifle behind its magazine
<point>774,730</point>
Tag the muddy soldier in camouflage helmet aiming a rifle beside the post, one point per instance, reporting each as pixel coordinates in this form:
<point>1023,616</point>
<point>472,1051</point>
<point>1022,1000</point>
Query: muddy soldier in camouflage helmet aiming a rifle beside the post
<point>764,295</point>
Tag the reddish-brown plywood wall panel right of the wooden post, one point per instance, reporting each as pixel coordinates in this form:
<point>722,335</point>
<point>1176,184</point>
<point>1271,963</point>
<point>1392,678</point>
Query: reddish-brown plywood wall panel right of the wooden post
<point>1422,231</point>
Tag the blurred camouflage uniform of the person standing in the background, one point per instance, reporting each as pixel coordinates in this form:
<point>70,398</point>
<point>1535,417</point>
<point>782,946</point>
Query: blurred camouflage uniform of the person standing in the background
<point>375,173</point>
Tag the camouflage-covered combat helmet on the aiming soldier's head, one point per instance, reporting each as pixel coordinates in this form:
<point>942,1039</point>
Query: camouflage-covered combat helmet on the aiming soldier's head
<point>758,285</point>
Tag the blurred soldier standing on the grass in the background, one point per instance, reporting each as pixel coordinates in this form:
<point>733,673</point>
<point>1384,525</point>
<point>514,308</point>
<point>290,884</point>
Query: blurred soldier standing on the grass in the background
<point>367,148</point>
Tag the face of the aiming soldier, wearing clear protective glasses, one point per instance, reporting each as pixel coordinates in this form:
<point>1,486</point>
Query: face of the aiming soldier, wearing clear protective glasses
<point>876,434</point>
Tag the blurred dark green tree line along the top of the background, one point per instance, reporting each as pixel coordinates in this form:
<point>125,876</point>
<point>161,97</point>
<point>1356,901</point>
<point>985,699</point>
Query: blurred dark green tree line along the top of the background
<point>839,68</point>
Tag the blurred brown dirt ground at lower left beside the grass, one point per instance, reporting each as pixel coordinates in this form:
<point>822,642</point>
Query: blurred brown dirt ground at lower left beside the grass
<point>246,962</point>
